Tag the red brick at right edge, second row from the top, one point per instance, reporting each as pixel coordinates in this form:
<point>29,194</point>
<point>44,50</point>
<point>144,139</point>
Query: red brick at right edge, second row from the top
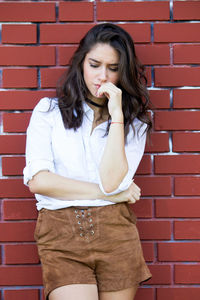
<point>176,32</point>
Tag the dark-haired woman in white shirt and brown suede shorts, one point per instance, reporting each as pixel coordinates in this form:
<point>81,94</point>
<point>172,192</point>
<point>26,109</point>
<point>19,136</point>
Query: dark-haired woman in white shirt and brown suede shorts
<point>83,149</point>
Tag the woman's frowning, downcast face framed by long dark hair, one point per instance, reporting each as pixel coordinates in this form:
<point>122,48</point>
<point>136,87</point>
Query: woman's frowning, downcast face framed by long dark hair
<point>100,66</point>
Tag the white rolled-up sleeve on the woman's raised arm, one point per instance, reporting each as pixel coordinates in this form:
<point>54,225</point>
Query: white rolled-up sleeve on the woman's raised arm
<point>134,151</point>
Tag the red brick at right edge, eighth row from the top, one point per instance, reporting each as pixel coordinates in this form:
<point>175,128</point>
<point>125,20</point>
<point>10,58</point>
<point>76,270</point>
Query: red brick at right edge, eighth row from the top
<point>177,164</point>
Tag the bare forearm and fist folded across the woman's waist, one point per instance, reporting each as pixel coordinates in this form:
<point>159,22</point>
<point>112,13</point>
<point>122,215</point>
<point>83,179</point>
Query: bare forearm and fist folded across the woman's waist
<point>59,187</point>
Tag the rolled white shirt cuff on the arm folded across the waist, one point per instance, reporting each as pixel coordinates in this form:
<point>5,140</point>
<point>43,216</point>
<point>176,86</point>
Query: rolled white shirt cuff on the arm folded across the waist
<point>34,167</point>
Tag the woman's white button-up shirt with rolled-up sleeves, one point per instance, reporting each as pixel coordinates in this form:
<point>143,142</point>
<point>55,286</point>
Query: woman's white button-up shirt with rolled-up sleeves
<point>74,154</point>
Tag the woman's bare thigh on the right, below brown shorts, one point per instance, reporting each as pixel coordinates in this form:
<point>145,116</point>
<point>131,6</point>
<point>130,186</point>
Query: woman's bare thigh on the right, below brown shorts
<point>126,294</point>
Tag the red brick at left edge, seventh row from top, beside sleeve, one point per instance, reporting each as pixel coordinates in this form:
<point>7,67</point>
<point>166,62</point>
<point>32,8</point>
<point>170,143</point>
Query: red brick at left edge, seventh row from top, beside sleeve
<point>12,144</point>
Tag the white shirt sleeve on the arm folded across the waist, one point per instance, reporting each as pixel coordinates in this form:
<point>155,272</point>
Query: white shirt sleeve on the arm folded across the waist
<point>39,154</point>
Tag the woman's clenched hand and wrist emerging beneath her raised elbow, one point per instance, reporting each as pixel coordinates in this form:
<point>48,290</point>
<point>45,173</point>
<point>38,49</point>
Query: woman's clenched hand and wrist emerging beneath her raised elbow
<point>131,195</point>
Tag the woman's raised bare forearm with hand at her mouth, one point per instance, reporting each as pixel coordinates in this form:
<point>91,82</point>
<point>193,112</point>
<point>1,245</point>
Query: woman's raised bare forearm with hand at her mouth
<point>114,165</point>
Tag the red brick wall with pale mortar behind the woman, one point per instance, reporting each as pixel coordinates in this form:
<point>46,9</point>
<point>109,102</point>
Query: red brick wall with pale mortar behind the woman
<point>38,38</point>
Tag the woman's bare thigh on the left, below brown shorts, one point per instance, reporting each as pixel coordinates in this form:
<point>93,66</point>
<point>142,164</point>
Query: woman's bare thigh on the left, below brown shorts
<point>74,292</point>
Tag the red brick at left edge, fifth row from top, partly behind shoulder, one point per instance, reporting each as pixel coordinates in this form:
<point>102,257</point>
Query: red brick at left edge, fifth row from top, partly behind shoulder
<point>22,100</point>
